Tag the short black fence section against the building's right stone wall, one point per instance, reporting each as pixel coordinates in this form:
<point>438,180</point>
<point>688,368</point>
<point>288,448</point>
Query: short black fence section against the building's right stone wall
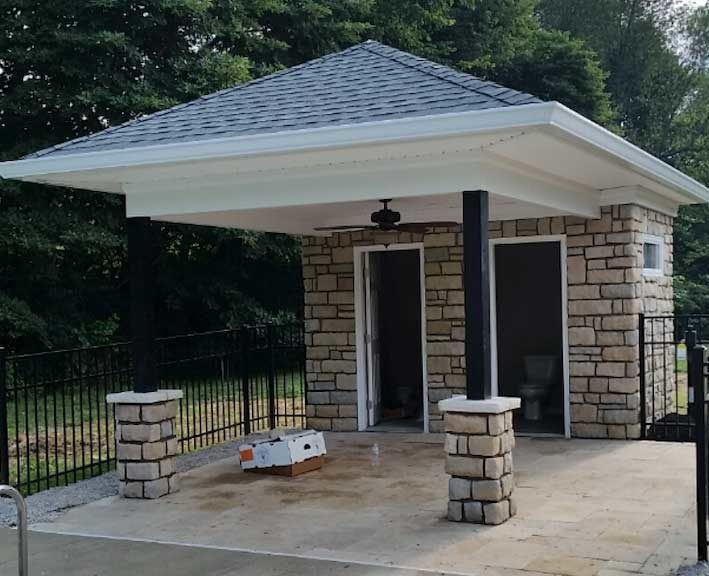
<point>664,389</point>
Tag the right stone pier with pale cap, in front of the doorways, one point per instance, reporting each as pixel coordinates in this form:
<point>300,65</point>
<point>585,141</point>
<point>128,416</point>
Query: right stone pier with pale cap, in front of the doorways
<point>479,442</point>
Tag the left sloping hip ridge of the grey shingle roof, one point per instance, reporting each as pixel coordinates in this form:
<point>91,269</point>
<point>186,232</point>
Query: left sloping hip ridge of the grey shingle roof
<point>234,88</point>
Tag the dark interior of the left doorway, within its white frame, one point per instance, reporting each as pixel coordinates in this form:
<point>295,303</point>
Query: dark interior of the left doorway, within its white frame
<point>395,312</point>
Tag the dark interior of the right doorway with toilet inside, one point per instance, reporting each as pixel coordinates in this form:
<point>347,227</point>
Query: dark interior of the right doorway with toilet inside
<point>529,333</point>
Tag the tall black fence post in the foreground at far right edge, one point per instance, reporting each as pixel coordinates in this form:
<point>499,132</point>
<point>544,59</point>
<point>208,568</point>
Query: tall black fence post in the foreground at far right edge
<point>696,359</point>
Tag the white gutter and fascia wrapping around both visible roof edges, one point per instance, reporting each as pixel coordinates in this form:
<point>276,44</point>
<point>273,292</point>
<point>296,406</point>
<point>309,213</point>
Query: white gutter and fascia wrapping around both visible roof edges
<point>549,115</point>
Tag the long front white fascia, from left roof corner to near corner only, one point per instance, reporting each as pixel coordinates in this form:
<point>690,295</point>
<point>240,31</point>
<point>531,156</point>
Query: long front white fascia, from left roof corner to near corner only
<point>401,129</point>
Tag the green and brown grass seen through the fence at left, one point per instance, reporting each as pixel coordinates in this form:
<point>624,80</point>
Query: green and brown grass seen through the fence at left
<point>62,438</point>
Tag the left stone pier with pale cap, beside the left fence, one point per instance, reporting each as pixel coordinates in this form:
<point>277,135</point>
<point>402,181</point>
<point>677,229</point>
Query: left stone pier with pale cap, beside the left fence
<point>146,442</point>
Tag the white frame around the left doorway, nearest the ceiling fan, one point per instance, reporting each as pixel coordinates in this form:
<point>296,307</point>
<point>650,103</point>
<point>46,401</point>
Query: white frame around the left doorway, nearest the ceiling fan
<point>361,252</point>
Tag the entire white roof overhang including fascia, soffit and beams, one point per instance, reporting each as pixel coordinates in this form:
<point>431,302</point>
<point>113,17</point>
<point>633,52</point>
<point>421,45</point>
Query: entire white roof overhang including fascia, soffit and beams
<point>532,155</point>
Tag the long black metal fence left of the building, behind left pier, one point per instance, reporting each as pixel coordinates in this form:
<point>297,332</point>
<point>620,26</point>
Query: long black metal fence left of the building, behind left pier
<point>56,427</point>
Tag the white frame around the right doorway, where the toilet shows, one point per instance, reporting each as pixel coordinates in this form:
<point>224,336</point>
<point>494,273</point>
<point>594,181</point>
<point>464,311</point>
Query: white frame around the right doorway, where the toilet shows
<point>561,239</point>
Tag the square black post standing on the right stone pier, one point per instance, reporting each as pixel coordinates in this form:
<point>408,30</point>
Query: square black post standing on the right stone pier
<point>476,280</point>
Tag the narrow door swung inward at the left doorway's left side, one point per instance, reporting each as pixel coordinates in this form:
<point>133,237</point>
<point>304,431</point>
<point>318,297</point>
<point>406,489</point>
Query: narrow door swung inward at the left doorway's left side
<point>371,285</point>
